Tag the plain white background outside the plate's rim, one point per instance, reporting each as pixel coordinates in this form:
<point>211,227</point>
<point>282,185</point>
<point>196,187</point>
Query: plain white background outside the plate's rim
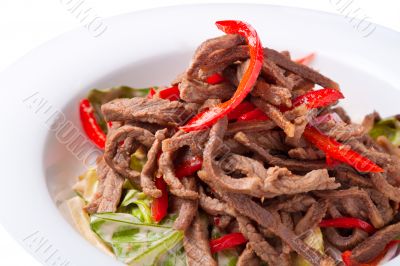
<point>25,24</point>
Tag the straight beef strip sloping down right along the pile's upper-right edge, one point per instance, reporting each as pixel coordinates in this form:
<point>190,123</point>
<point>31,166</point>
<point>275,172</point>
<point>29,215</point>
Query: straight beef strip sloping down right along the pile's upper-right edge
<point>299,69</point>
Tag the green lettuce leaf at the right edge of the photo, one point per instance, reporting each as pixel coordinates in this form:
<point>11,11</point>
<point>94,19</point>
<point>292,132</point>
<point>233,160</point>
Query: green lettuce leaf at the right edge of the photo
<point>389,127</point>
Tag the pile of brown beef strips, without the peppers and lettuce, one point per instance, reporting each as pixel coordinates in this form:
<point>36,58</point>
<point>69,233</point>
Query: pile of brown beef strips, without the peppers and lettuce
<point>261,178</point>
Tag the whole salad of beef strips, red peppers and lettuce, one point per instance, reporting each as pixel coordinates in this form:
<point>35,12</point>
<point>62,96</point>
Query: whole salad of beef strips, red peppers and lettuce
<point>244,159</point>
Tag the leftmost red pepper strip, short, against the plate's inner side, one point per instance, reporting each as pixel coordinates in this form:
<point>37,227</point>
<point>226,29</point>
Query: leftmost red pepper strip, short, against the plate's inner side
<point>90,125</point>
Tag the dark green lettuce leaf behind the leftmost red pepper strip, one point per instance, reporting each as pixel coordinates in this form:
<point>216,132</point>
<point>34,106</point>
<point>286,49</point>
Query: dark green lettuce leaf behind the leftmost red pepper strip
<point>98,97</point>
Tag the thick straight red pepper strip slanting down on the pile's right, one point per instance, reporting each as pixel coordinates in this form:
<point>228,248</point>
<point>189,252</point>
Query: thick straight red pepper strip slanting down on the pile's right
<point>336,150</point>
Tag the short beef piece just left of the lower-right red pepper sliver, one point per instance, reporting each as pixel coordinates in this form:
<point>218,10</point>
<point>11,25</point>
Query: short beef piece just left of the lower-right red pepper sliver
<point>312,218</point>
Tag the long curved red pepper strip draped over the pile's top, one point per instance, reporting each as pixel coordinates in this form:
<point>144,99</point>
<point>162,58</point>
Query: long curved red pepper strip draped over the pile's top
<point>212,115</point>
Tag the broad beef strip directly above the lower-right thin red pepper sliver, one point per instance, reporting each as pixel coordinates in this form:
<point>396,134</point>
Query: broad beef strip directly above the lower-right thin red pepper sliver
<point>356,203</point>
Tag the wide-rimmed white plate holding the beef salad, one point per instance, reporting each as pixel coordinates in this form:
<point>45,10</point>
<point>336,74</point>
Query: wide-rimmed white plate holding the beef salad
<point>142,49</point>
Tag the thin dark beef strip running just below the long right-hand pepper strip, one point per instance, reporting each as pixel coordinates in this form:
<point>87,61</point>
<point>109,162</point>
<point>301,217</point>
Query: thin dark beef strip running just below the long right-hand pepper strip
<point>293,165</point>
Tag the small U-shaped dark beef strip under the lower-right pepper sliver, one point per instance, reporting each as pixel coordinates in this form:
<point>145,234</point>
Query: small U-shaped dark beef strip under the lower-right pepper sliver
<point>344,242</point>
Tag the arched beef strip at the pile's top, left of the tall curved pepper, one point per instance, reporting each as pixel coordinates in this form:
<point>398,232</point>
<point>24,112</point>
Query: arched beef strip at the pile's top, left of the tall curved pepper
<point>206,48</point>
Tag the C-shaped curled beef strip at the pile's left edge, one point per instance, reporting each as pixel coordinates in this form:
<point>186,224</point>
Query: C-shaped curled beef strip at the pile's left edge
<point>118,155</point>
